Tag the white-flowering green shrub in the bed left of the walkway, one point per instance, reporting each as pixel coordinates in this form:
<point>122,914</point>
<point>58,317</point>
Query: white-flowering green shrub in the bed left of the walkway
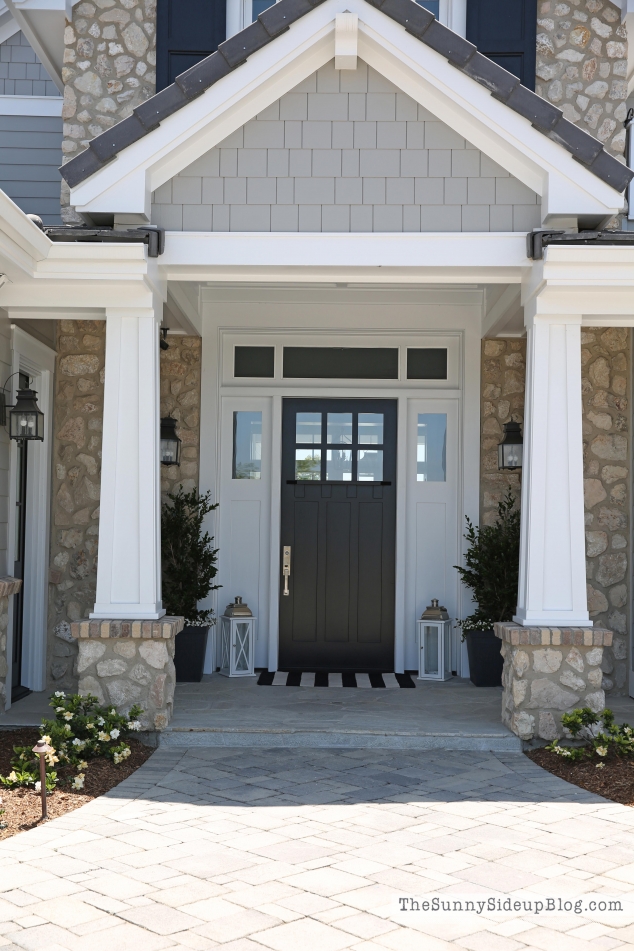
<point>81,731</point>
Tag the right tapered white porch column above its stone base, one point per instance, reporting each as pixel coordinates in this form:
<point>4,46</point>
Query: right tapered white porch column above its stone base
<point>552,581</point>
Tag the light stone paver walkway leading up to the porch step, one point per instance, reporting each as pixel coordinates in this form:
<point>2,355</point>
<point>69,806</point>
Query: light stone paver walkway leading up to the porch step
<point>310,850</point>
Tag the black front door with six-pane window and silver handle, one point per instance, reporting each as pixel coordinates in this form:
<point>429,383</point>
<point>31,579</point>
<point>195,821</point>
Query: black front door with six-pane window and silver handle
<point>338,518</point>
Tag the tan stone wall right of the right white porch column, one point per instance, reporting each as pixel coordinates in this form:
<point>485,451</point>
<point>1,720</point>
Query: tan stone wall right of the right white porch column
<point>605,359</point>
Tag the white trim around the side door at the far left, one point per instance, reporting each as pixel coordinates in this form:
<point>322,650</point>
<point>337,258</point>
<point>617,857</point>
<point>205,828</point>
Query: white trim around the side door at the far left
<point>29,355</point>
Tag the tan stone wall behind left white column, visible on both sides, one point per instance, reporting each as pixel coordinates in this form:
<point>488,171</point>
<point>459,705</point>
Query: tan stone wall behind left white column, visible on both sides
<point>79,382</point>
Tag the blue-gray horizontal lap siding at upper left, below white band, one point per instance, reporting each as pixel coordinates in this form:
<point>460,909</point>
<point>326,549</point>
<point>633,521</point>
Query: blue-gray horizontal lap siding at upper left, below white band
<point>30,153</point>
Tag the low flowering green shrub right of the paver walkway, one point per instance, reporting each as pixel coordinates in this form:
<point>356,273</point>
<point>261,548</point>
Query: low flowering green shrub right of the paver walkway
<point>597,734</point>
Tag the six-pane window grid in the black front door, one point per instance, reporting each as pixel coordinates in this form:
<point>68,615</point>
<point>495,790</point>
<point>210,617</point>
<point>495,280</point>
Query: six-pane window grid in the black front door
<point>319,460</point>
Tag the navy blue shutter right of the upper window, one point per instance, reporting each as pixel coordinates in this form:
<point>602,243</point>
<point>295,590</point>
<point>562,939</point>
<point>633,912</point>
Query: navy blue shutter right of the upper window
<point>505,31</point>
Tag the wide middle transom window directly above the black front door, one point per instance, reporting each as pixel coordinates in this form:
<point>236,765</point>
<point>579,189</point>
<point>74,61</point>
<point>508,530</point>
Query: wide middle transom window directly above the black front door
<point>341,363</point>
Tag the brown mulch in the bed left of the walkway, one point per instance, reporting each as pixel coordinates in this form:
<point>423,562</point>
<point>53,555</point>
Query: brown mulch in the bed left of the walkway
<point>23,806</point>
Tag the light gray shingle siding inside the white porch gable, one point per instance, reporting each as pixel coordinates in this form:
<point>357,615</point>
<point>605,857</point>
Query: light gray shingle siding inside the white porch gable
<point>345,152</point>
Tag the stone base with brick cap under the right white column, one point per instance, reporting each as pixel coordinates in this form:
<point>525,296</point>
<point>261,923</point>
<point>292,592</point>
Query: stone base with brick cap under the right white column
<point>549,671</point>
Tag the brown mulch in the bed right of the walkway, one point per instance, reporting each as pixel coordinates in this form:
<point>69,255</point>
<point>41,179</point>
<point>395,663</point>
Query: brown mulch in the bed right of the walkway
<point>615,781</point>
